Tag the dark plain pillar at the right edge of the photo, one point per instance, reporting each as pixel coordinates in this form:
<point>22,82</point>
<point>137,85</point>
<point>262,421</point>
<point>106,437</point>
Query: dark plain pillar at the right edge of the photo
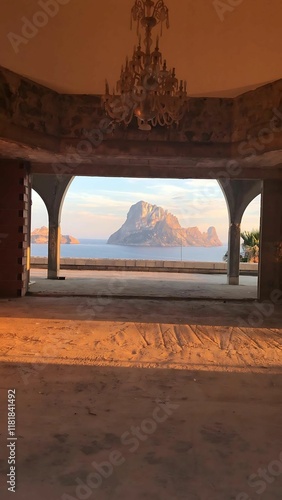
<point>270,268</point>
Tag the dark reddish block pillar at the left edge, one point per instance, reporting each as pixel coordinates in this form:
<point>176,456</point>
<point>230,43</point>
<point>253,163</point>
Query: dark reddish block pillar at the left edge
<point>14,224</point>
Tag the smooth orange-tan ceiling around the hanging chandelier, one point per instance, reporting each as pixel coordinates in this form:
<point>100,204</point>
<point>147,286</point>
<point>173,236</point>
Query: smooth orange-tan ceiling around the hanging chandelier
<point>87,41</point>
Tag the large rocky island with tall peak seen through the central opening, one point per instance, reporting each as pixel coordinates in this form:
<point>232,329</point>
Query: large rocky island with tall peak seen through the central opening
<point>149,225</point>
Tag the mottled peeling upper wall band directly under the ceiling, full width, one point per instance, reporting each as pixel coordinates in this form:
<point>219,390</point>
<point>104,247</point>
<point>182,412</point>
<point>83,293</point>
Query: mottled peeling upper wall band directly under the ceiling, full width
<point>210,121</point>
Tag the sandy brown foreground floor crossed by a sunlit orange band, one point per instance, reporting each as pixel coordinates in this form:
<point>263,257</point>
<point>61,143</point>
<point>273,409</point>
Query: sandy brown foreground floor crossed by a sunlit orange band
<point>142,399</point>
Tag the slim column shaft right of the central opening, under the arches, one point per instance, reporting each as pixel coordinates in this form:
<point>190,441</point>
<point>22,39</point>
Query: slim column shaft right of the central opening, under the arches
<point>234,245</point>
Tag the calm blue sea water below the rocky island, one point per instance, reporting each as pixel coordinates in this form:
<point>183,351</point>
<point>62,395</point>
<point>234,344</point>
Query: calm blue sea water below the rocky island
<point>98,249</point>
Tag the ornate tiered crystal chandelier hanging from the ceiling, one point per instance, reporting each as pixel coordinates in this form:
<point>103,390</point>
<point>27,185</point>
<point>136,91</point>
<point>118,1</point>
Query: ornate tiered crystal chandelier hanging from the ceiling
<point>147,89</point>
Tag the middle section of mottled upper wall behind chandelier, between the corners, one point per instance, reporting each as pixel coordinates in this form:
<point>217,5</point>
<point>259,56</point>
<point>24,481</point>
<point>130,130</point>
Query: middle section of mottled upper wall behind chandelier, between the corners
<point>208,121</point>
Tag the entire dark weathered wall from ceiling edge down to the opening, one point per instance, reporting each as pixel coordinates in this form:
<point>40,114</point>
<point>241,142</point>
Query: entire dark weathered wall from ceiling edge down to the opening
<point>43,127</point>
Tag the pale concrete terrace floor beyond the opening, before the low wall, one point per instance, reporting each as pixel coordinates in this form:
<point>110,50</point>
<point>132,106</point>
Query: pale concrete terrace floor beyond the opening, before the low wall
<point>143,284</point>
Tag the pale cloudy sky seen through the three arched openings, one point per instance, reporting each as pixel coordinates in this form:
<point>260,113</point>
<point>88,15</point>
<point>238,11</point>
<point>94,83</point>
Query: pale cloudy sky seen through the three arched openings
<point>96,207</point>
